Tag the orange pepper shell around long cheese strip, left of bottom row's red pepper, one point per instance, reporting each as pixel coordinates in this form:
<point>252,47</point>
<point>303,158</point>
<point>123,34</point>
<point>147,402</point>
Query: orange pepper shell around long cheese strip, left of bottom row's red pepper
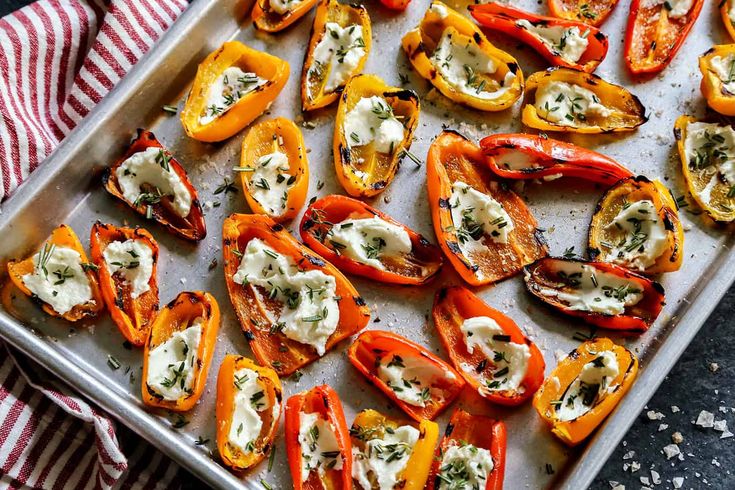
<point>231,455</point>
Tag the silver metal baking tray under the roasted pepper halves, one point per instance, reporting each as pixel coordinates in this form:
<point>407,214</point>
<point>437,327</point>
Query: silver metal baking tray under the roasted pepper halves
<point>67,189</point>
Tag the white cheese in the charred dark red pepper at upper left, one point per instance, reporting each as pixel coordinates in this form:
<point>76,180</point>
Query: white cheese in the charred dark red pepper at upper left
<point>146,177</point>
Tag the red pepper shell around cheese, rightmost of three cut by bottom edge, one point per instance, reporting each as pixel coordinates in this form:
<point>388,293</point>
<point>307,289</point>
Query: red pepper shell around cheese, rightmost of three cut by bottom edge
<point>466,429</point>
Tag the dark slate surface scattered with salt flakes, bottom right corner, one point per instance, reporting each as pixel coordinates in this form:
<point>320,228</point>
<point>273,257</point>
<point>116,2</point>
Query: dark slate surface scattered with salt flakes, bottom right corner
<point>692,386</point>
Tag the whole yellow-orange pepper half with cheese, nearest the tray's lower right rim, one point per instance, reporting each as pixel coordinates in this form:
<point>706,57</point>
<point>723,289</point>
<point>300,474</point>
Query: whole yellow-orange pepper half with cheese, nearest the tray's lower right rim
<point>584,388</point>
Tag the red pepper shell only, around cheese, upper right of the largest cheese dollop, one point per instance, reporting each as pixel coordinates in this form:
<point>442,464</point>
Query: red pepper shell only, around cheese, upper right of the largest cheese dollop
<point>418,266</point>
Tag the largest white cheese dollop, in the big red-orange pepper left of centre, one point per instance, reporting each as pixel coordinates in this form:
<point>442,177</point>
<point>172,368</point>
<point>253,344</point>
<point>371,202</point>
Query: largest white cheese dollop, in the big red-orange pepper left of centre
<point>310,312</point>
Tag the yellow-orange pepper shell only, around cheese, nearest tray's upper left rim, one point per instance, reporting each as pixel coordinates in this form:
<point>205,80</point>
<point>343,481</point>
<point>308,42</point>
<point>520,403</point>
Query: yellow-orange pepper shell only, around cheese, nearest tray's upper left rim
<point>246,109</point>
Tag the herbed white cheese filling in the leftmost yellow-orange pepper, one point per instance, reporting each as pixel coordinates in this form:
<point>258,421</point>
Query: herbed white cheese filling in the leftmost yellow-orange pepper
<point>58,278</point>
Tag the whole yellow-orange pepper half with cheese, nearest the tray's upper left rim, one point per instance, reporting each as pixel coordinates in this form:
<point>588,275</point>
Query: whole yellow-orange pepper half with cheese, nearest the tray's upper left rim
<point>234,85</point>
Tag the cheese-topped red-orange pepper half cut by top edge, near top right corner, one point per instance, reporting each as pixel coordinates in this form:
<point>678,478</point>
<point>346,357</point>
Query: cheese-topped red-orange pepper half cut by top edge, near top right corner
<point>656,30</point>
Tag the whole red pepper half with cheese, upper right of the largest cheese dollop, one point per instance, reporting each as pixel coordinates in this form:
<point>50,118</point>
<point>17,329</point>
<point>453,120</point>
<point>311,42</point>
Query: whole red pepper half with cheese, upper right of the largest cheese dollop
<point>361,240</point>
